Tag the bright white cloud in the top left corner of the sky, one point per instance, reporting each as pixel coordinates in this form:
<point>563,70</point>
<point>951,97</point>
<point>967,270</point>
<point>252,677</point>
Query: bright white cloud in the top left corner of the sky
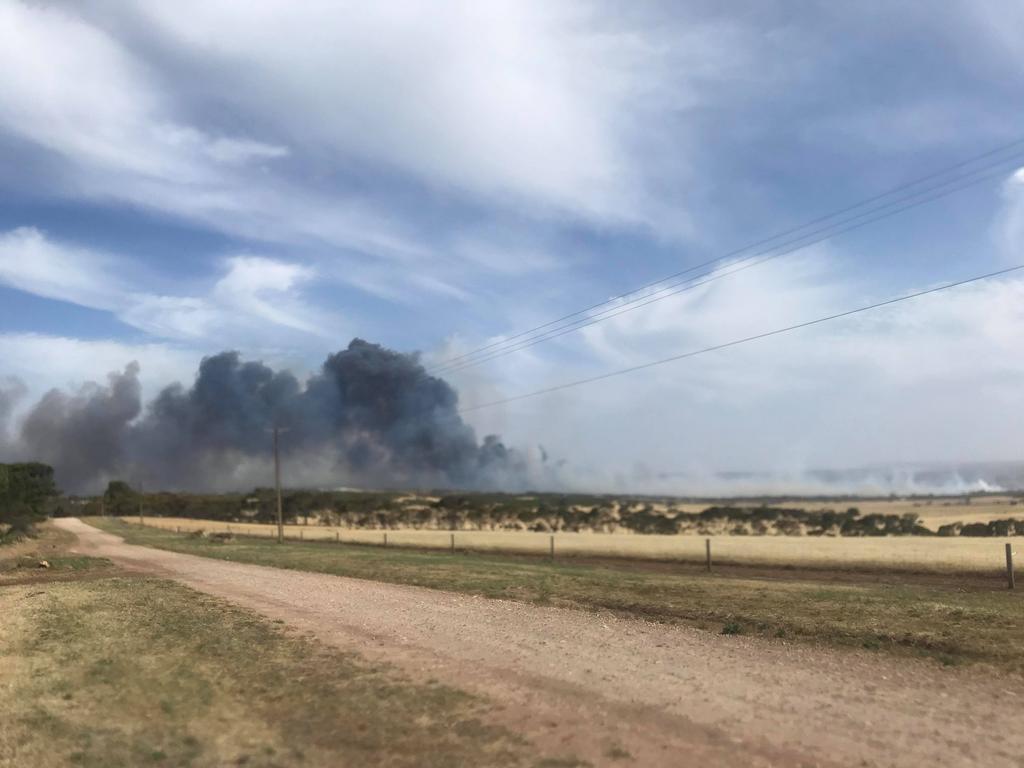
<point>81,95</point>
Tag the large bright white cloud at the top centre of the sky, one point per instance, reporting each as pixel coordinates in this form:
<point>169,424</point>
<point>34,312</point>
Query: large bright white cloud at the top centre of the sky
<point>506,99</point>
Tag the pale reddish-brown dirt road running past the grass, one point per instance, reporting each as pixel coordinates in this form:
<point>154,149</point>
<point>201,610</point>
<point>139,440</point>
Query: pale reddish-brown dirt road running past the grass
<point>600,688</point>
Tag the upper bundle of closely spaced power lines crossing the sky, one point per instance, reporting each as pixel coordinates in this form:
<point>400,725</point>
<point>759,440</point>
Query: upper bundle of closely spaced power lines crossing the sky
<point>493,350</point>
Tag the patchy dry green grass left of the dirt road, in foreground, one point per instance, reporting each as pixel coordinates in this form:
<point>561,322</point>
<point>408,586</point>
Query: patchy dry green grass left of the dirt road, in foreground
<point>138,672</point>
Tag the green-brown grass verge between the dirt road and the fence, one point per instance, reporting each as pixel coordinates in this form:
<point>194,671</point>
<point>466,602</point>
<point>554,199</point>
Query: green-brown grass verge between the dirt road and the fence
<point>951,624</point>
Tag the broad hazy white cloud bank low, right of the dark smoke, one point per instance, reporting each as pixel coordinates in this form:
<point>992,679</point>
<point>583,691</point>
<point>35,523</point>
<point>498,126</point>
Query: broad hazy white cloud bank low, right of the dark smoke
<point>938,378</point>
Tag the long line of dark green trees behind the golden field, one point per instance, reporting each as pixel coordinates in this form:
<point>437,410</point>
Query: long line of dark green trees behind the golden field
<point>536,513</point>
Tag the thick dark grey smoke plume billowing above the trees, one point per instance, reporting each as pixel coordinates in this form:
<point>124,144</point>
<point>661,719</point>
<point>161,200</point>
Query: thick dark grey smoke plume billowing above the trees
<point>370,417</point>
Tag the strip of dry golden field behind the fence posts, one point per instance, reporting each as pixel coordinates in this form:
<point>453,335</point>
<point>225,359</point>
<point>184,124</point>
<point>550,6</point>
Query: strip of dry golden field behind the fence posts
<point>900,553</point>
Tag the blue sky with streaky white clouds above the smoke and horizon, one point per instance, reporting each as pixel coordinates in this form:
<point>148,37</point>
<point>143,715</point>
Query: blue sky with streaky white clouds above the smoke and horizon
<point>179,180</point>
